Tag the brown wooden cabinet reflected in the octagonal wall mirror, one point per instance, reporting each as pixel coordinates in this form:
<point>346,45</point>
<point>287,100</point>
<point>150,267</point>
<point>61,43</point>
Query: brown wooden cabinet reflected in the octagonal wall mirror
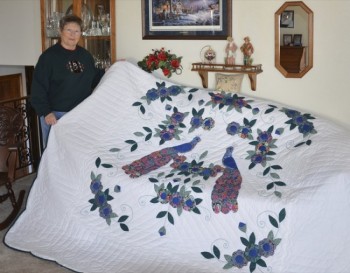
<point>292,58</point>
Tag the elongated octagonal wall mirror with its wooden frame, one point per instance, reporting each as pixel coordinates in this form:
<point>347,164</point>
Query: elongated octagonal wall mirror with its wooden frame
<point>294,39</point>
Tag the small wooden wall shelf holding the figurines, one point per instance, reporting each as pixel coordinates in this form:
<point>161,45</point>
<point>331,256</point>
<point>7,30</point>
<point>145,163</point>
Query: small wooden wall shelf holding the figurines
<point>204,68</point>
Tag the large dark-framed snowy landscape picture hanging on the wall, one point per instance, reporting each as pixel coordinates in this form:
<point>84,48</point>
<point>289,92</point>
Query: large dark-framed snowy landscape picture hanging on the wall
<point>178,20</point>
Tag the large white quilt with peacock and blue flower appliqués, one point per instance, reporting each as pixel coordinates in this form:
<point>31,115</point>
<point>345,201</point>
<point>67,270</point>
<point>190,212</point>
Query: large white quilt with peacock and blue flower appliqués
<point>148,176</point>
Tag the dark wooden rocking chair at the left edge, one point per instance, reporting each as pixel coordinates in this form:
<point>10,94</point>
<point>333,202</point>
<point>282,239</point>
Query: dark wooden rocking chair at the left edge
<point>11,123</point>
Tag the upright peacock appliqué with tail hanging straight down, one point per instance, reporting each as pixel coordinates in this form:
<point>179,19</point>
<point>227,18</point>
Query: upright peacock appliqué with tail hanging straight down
<point>227,186</point>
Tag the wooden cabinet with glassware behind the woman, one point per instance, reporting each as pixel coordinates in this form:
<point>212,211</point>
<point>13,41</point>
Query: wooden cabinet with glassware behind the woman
<point>98,26</point>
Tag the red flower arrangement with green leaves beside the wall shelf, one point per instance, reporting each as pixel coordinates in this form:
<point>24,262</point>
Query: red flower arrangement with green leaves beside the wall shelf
<point>161,59</point>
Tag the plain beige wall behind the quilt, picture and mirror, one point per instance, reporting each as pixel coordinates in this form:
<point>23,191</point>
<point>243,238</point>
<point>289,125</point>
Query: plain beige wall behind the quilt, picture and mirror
<point>324,90</point>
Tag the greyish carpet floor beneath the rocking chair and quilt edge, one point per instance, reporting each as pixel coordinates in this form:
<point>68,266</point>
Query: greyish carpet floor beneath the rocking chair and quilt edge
<point>14,261</point>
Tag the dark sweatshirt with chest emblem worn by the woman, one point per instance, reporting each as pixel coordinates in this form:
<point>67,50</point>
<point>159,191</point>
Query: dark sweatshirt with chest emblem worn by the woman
<point>62,79</point>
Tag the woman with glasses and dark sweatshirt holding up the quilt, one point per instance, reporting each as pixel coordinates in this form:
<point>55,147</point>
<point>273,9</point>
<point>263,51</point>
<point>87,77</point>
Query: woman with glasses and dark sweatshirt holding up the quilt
<point>64,76</point>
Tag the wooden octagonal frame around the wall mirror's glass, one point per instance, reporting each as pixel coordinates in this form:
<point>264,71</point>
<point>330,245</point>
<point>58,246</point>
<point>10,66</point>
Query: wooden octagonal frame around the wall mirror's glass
<point>310,47</point>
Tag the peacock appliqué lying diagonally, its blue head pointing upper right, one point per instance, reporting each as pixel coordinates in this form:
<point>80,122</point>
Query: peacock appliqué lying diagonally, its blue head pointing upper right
<point>159,158</point>
